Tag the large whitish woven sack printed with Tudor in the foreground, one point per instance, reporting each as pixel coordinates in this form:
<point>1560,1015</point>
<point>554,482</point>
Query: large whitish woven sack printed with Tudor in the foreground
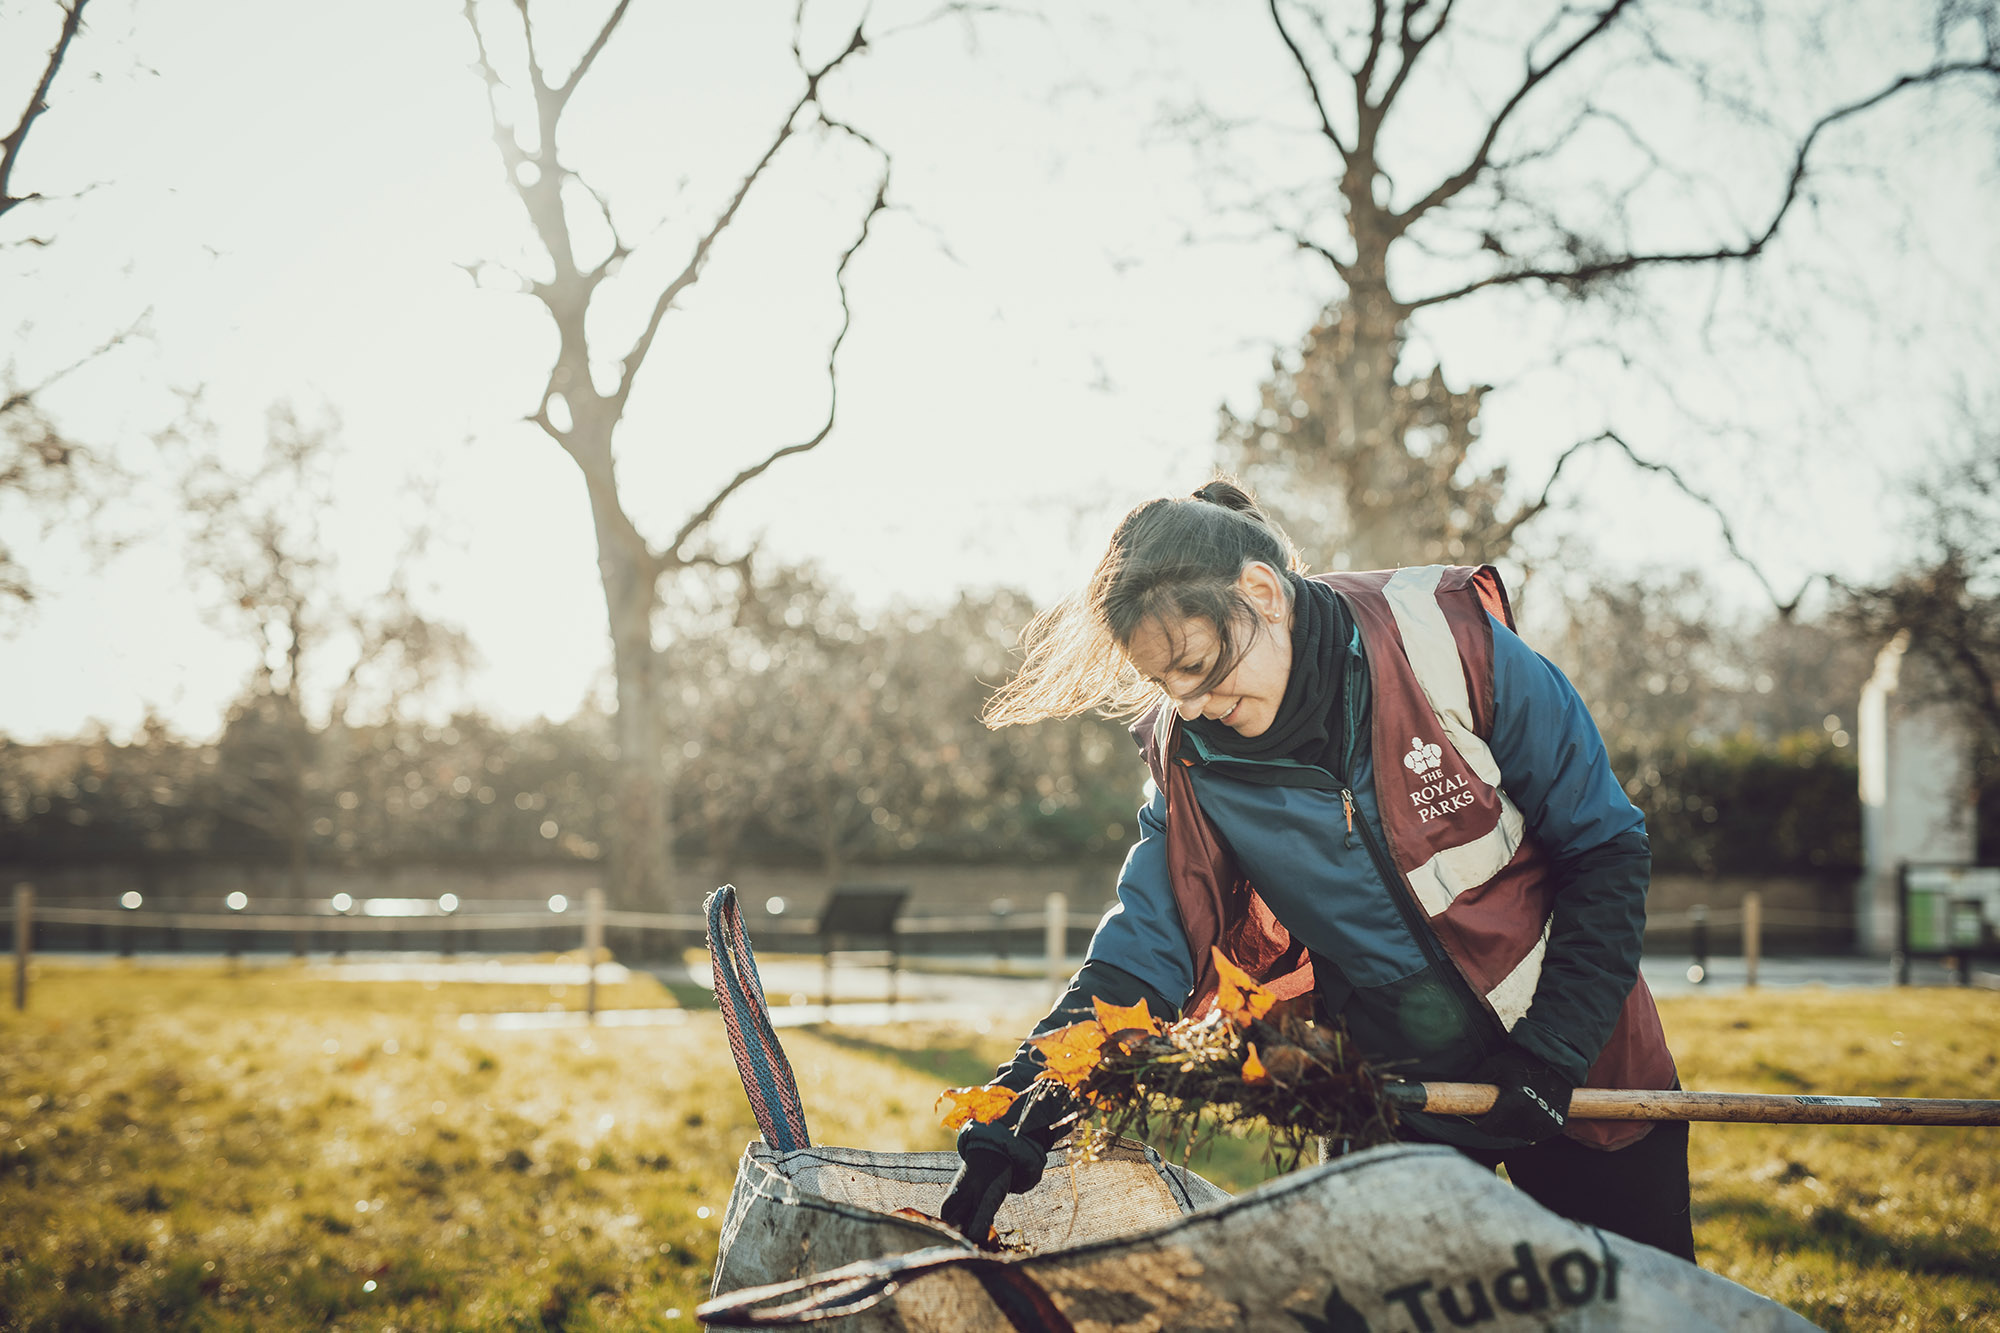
<point>1397,1240</point>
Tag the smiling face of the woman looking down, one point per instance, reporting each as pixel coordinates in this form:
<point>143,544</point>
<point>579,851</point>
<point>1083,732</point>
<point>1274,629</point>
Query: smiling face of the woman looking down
<point>1181,655</point>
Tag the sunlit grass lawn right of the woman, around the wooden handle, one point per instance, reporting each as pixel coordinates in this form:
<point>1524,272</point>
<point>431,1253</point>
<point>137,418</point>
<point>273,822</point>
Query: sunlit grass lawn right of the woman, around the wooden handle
<point>1859,1226</point>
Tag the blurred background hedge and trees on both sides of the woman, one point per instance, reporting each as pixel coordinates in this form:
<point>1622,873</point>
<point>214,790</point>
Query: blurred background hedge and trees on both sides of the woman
<point>821,738</point>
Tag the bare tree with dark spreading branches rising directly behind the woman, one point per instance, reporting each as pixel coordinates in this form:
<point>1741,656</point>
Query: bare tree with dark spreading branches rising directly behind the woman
<point>1551,191</point>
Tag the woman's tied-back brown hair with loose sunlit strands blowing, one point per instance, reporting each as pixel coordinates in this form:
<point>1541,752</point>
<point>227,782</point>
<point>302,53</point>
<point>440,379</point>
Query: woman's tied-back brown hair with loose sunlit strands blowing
<point>1169,561</point>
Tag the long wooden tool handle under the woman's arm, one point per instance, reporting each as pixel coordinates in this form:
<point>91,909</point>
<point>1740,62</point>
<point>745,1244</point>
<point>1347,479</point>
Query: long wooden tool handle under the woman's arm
<point>1601,1104</point>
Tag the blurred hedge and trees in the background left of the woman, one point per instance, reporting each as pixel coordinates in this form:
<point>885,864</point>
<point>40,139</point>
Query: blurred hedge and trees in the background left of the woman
<point>813,738</point>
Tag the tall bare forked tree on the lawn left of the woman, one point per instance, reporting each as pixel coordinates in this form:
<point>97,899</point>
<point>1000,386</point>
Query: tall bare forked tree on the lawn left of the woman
<point>583,419</point>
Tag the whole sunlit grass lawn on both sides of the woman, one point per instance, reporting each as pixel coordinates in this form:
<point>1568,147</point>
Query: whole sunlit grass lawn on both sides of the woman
<point>203,1150</point>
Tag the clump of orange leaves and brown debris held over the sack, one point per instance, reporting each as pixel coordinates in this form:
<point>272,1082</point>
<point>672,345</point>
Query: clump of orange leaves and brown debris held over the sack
<point>1243,1064</point>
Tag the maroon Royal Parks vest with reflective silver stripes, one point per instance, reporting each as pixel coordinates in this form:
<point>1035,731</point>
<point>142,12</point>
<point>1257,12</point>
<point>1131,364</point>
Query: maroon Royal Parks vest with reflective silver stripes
<point>1453,834</point>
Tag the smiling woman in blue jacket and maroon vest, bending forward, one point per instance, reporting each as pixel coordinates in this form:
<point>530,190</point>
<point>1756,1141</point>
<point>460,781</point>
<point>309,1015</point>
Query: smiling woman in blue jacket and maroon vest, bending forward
<point>1369,788</point>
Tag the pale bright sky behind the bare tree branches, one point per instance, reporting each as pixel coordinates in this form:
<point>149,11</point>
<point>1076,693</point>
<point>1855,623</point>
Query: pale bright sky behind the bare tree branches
<point>287,199</point>
